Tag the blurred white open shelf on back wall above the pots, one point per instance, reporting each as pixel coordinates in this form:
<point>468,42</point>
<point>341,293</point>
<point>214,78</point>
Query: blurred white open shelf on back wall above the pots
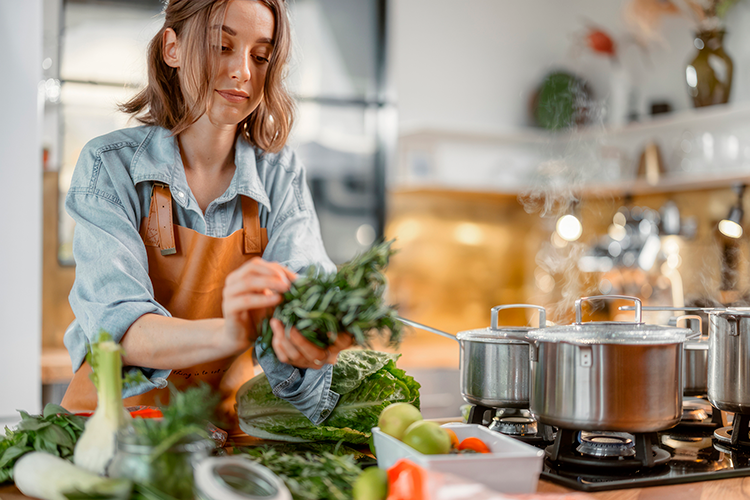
<point>705,148</point>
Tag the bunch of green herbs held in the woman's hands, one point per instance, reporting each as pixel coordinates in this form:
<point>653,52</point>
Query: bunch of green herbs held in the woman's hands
<point>350,300</point>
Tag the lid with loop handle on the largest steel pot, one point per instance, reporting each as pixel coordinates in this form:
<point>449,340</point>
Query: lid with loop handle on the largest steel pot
<point>606,332</point>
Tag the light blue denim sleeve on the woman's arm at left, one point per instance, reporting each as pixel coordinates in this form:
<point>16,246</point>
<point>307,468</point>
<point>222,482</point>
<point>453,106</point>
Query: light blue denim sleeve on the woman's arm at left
<point>112,288</point>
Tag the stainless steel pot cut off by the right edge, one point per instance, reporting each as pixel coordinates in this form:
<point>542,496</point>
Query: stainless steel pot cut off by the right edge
<point>729,360</point>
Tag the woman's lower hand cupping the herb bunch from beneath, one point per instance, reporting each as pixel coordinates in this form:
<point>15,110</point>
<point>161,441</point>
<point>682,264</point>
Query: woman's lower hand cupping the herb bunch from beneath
<point>297,351</point>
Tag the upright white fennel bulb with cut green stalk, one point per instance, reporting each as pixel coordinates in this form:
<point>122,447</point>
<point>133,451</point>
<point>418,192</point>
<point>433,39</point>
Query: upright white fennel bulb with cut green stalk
<point>97,445</point>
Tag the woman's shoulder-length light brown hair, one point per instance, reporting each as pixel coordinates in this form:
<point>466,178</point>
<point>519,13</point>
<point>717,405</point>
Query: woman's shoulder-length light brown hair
<point>164,101</point>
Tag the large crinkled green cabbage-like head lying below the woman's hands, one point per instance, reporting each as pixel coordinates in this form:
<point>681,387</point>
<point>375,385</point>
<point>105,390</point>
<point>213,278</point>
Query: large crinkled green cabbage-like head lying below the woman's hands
<point>367,382</point>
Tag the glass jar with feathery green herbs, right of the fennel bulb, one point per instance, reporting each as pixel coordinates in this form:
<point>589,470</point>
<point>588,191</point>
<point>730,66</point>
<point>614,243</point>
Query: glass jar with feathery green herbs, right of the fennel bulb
<point>170,471</point>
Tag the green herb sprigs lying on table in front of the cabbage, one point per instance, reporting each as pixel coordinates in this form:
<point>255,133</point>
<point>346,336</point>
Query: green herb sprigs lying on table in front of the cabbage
<point>310,476</point>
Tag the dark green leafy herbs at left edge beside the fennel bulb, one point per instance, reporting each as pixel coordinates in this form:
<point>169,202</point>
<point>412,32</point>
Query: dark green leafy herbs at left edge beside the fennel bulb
<point>55,431</point>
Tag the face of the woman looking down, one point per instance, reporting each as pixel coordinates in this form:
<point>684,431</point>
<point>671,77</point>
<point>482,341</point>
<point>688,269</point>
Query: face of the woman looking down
<point>246,47</point>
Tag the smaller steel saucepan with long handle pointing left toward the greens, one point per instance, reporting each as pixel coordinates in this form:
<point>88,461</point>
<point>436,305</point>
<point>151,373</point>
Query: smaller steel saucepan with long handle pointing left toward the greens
<point>494,361</point>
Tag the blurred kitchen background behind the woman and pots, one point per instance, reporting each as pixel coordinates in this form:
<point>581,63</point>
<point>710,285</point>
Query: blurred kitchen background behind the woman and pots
<point>519,152</point>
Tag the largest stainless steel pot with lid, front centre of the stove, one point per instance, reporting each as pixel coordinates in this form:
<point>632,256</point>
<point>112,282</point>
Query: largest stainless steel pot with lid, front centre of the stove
<point>614,376</point>
